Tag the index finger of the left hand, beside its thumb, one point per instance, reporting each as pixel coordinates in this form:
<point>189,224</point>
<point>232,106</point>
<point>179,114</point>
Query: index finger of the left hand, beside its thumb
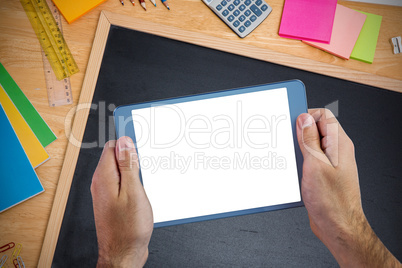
<point>106,176</point>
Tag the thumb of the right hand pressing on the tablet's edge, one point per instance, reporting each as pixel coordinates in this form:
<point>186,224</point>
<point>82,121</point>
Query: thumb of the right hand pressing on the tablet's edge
<point>309,139</point>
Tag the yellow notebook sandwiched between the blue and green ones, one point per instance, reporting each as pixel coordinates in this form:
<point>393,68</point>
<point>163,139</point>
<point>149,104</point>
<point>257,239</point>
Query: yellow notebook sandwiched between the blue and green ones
<point>32,147</point>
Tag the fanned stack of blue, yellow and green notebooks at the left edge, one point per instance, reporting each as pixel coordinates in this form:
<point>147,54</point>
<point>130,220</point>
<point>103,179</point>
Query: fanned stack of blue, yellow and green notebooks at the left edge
<point>24,136</point>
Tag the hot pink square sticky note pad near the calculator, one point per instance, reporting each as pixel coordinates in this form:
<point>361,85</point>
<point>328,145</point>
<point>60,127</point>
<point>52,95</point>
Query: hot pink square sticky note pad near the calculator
<point>308,20</point>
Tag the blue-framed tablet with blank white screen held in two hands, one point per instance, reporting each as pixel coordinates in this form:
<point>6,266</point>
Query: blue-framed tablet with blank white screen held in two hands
<point>219,154</point>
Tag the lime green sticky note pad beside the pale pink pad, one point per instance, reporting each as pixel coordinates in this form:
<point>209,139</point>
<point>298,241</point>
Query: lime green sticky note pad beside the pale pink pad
<point>366,44</point>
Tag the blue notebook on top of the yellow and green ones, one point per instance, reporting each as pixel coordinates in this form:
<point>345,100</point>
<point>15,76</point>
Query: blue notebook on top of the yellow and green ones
<point>18,180</point>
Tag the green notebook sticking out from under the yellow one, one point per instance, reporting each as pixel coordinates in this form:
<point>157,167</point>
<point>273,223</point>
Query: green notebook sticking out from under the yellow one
<point>42,131</point>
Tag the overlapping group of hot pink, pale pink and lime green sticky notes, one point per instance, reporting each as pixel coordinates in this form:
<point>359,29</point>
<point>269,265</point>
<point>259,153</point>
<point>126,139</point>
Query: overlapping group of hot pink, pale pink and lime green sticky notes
<point>326,25</point>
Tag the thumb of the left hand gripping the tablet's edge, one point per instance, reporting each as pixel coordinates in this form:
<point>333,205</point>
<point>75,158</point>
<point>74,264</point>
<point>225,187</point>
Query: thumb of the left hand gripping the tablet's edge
<point>127,161</point>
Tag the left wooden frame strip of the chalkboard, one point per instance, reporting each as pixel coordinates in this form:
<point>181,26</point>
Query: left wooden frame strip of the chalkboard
<point>74,145</point>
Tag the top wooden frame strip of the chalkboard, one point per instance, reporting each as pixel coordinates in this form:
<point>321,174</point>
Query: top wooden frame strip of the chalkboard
<point>233,46</point>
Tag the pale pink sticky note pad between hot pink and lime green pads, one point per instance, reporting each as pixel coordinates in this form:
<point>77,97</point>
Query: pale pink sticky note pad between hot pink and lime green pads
<point>347,26</point>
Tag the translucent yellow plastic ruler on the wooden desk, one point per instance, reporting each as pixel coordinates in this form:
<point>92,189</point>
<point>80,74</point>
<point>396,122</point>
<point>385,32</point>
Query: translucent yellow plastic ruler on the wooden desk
<point>50,38</point>
